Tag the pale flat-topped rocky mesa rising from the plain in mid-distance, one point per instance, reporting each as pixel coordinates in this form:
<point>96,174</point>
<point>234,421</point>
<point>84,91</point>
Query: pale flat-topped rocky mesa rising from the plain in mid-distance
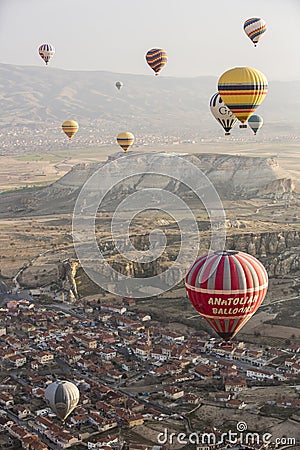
<point>234,177</point>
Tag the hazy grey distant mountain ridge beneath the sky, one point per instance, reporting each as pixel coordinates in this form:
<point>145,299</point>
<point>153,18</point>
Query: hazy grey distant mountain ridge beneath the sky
<point>42,96</point>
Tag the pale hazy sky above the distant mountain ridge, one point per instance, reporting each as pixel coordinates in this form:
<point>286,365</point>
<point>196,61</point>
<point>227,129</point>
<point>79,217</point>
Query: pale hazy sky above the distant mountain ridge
<point>201,37</point>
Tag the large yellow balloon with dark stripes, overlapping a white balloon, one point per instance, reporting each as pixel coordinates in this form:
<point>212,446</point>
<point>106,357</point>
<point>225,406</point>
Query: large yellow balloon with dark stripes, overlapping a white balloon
<point>242,89</point>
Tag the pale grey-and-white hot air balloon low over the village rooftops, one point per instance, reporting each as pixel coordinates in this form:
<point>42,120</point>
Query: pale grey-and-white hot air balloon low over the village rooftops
<point>63,397</point>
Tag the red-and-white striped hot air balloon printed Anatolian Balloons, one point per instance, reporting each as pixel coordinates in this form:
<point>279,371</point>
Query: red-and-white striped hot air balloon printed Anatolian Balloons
<point>226,288</point>
